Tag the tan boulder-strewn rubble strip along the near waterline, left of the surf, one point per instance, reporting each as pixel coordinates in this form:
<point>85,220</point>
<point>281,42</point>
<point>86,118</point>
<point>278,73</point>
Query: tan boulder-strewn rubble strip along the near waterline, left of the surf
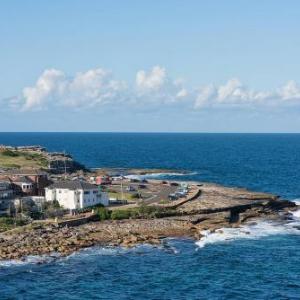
<point>48,238</point>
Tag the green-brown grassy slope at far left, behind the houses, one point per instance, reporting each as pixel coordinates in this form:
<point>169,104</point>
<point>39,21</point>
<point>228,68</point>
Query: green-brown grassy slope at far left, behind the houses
<point>21,159</point>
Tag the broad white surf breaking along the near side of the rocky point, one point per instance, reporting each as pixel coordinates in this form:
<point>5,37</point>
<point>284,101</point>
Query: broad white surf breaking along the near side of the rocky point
<point>253,230</point>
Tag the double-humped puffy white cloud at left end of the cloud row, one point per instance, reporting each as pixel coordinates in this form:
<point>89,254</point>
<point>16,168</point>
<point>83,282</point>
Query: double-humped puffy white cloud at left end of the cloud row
<point>86,89</point>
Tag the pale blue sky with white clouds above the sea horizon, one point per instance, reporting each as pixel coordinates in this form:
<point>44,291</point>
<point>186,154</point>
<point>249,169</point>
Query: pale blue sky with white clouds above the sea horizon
<point>200,66</point>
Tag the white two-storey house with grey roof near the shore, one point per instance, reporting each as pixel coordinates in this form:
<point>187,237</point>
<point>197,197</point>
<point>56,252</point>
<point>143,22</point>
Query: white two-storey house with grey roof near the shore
<point>75,194</point>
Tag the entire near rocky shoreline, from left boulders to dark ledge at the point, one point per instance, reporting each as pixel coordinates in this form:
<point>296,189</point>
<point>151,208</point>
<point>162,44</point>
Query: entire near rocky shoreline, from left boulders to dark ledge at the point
<point>47,238</point>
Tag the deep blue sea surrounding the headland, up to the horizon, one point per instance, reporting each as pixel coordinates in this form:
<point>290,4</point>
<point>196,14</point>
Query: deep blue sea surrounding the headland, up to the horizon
<point>256,267</point>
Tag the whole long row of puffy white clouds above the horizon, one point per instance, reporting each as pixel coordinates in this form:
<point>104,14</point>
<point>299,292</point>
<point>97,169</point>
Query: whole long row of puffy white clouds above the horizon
<point>98,88</point>
